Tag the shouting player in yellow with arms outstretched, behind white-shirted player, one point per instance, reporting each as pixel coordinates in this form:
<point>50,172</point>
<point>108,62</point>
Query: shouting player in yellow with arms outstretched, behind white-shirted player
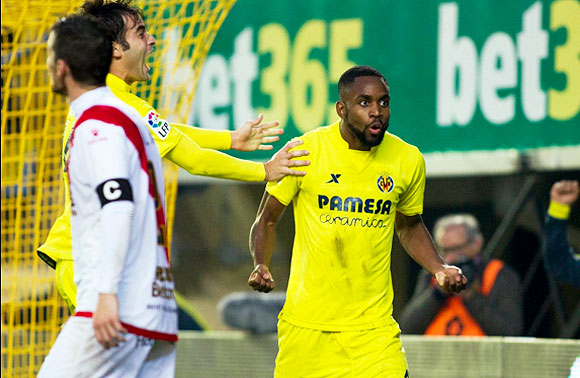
<point>132,45</point>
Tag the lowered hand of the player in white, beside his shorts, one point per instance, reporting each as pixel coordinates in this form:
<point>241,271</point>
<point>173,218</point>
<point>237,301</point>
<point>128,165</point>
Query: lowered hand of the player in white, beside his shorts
<point>108,328</point>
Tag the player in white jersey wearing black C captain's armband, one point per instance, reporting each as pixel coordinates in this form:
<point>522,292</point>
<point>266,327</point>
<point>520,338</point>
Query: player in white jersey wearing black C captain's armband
<point>126,319</point>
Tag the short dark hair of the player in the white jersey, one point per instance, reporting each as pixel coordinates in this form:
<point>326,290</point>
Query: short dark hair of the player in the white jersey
<point>85,47</point>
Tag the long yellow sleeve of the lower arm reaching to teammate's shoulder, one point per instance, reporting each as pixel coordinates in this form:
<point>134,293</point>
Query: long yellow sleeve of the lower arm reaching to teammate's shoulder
<point>200,161</point>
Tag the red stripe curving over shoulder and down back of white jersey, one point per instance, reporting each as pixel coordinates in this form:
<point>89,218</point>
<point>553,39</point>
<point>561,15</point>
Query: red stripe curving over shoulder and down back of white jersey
<point>112,115</point>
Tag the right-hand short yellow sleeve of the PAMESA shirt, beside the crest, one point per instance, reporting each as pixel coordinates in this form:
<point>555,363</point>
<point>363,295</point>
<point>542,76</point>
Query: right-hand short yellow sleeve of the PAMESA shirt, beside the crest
<point>411,201</point>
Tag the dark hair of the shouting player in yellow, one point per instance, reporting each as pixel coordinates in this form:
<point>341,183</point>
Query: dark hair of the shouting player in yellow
<point>110,14</point>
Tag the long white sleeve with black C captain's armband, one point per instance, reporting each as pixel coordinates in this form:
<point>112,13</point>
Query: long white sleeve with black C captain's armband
<point>106,157</point>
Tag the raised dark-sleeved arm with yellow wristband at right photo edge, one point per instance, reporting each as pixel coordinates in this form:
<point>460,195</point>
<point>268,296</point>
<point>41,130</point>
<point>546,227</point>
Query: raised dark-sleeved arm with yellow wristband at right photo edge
<point>559,258</point>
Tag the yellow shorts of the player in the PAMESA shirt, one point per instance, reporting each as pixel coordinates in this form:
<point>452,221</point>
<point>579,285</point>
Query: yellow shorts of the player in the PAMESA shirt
<point>304,352</point>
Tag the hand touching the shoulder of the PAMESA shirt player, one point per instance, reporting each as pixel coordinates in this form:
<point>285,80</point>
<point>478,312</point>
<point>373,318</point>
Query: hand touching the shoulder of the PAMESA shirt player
<point>282,162</point>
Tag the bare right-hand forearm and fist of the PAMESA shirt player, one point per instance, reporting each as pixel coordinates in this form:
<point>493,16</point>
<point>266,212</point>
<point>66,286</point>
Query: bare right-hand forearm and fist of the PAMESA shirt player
<point>418,243</point>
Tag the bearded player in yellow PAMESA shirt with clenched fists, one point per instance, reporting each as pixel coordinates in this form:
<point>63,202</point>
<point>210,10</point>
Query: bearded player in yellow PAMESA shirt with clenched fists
<point>337,320</point>
